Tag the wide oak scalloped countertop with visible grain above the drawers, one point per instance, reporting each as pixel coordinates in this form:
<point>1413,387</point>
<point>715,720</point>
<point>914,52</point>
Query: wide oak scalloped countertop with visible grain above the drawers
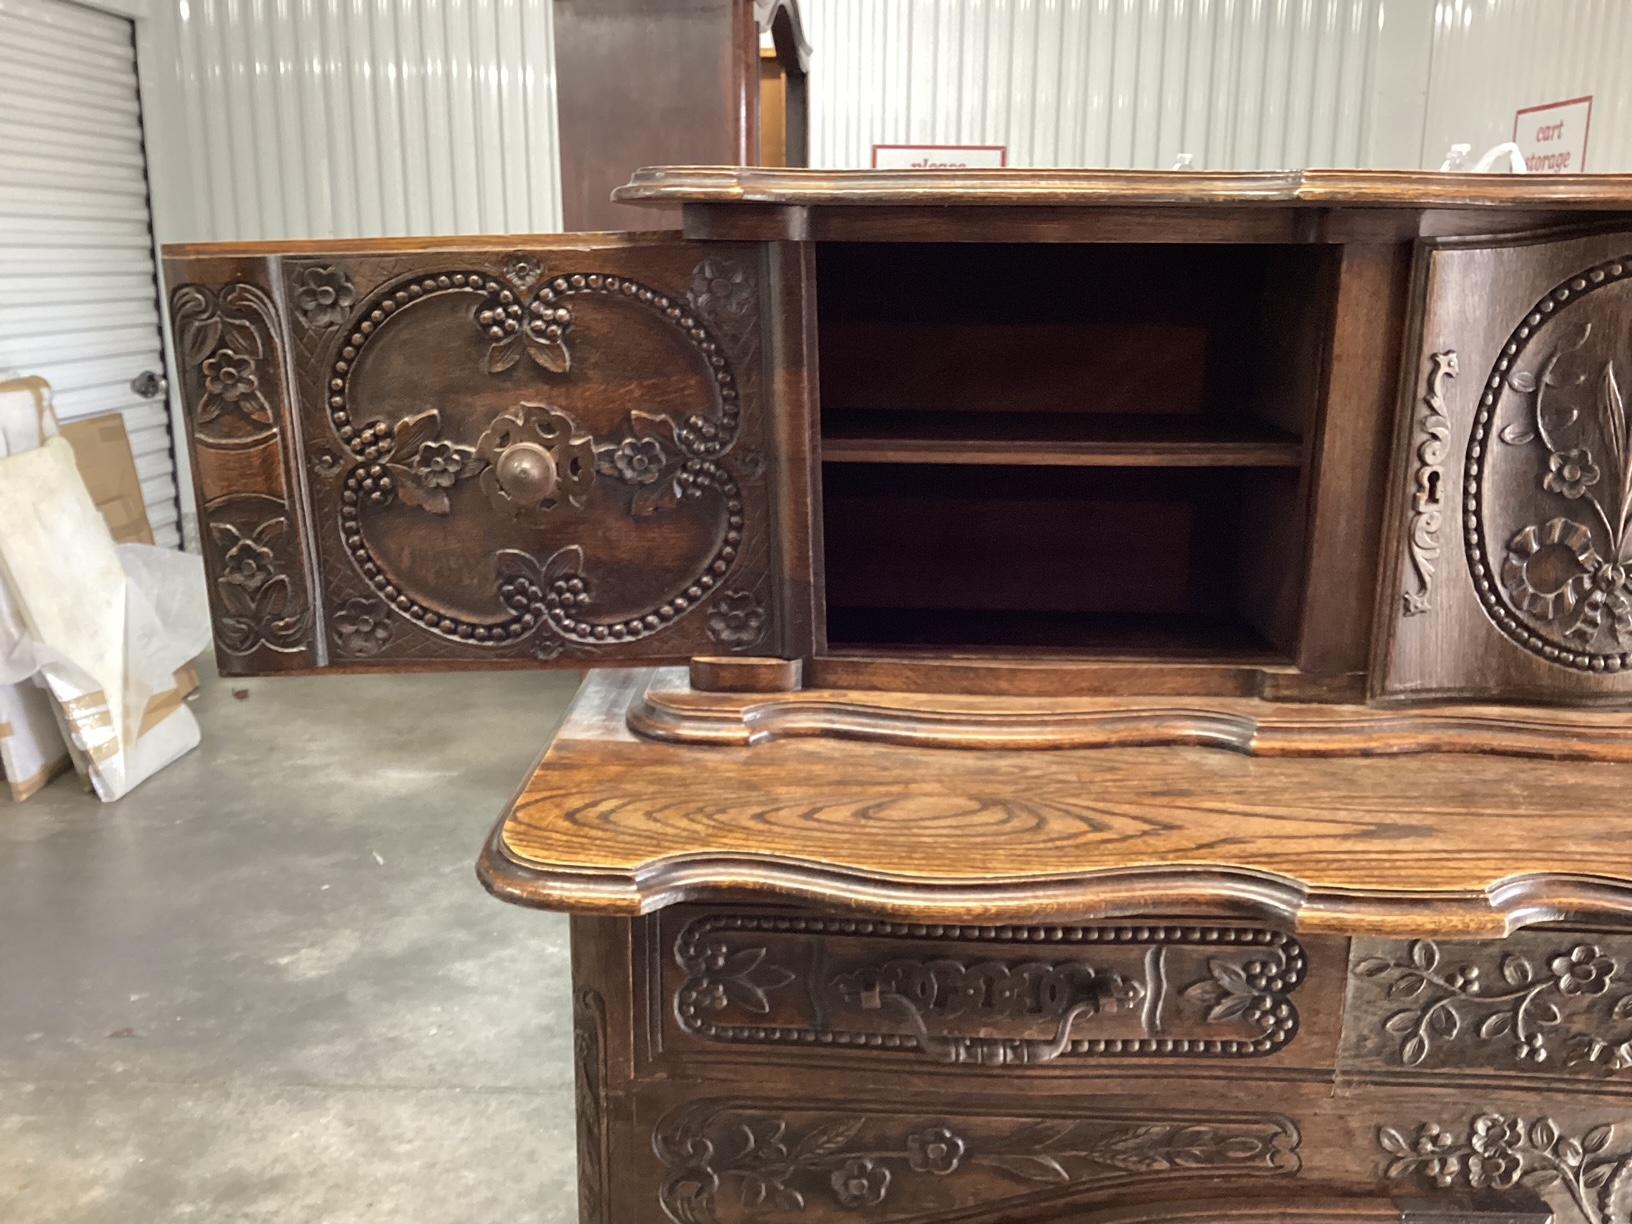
<point>1437,845</point>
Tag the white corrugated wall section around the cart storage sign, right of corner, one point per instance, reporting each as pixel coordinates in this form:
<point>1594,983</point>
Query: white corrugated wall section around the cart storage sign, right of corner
<point>1492,58</point>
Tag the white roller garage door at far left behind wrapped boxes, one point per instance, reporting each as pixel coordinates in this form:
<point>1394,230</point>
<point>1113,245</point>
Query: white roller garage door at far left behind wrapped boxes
<point>78,293</point>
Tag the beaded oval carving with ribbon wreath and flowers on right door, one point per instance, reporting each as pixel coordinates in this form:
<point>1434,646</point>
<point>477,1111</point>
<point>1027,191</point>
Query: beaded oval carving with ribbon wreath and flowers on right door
<point>1568,574</point>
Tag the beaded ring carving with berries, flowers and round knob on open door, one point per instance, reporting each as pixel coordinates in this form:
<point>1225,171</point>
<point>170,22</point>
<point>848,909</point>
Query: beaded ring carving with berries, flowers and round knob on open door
<point>534,461</point>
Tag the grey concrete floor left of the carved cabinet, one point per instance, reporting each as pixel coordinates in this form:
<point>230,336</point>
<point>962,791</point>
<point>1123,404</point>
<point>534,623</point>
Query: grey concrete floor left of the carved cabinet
<point>267,985</point>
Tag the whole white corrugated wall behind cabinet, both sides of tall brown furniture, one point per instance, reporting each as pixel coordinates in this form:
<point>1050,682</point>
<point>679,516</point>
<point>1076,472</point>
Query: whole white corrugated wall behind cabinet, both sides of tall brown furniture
<point>335,118</point>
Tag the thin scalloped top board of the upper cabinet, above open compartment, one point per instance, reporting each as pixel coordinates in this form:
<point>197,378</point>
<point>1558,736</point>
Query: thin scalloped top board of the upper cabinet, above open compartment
<point>1158,188</point>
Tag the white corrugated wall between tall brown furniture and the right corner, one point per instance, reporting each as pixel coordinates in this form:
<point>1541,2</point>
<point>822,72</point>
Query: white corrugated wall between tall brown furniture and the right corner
<point>1238,84</point>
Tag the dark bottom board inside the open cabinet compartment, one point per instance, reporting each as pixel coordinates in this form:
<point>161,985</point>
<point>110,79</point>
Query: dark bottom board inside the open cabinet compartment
<point>1102,636</point>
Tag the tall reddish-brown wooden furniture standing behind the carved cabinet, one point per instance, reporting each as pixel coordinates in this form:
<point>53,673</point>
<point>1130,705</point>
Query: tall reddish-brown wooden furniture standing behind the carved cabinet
<point>642,82</point>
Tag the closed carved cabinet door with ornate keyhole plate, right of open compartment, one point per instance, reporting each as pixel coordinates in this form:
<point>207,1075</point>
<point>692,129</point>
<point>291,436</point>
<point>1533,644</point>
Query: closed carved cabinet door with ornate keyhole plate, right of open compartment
<point>1514,507</point>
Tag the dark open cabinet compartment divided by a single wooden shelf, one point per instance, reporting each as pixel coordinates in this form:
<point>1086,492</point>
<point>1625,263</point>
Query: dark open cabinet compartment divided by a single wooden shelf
<point>1083,450</point>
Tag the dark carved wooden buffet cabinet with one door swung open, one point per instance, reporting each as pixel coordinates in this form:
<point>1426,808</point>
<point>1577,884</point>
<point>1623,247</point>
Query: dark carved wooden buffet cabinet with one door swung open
<point>1111,690</point>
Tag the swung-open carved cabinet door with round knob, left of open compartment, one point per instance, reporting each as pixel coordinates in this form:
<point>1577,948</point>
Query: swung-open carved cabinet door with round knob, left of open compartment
<point>466,453</point>
